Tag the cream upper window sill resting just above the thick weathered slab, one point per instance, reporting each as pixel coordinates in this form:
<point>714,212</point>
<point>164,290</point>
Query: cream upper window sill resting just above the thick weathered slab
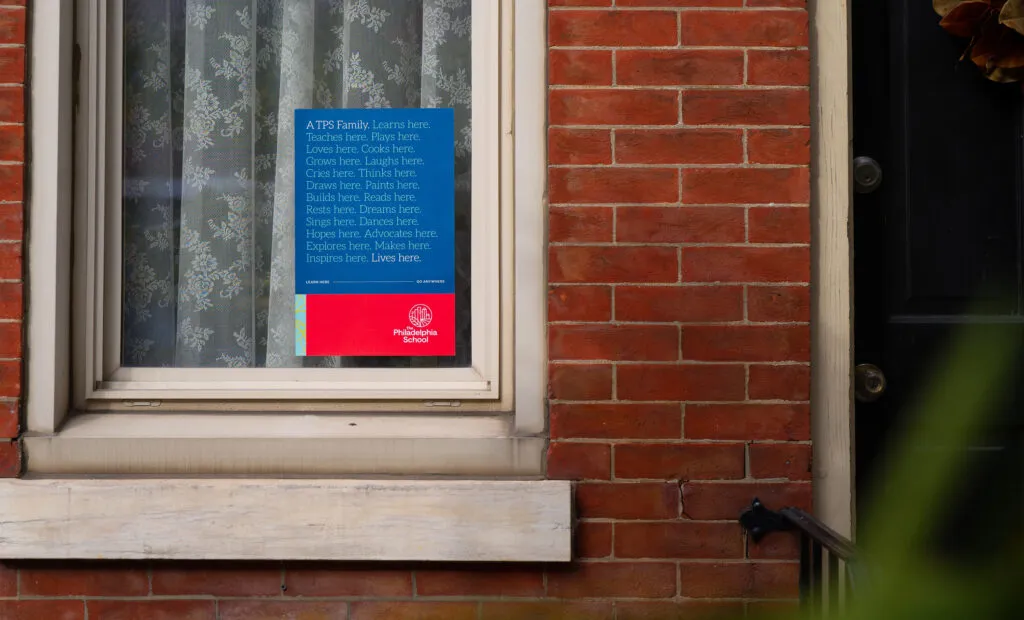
<point>285,445</point>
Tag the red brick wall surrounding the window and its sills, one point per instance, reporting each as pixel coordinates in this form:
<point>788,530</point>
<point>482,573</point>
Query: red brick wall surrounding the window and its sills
<point>679,341</point>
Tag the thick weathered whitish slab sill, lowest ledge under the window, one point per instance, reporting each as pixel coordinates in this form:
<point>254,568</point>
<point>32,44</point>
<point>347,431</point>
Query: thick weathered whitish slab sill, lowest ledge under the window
<point>331,520</point>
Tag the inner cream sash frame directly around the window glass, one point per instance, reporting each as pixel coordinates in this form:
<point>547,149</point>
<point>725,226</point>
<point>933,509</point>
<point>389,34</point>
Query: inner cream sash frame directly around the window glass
<point>100,382</point>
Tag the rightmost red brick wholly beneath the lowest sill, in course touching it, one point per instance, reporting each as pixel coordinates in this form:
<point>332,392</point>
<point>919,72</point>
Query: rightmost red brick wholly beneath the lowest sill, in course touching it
<point>480,582</point>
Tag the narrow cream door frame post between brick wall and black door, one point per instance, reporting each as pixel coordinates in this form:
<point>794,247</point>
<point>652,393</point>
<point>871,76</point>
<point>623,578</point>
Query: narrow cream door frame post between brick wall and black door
<point>832,266</point>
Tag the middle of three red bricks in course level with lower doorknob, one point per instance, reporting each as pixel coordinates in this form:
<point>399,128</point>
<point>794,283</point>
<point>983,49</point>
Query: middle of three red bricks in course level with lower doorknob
<point>680,383</point>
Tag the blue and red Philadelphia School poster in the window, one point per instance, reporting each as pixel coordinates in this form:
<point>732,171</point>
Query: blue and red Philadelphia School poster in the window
<point>375,232</point>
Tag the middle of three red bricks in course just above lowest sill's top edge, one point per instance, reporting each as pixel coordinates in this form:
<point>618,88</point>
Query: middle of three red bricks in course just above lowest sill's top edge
<point>680,462</point>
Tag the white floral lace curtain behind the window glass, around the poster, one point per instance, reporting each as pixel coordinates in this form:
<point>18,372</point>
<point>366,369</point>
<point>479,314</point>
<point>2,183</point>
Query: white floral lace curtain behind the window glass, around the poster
<point>210,93</point>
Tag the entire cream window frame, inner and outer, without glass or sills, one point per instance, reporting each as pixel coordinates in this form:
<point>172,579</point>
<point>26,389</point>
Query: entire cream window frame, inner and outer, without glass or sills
<point>508,296</point>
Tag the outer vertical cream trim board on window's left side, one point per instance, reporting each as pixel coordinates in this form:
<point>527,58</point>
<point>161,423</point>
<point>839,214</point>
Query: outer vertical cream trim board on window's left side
<point>50,243</point>
